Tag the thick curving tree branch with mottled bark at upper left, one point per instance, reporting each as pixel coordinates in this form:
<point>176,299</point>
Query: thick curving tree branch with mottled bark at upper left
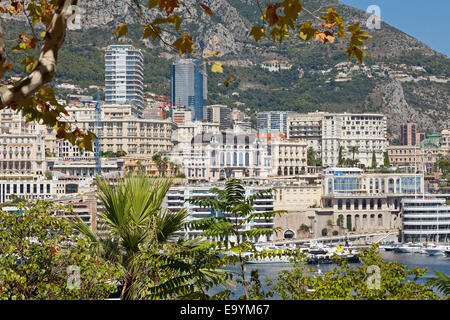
<point>46,68</point>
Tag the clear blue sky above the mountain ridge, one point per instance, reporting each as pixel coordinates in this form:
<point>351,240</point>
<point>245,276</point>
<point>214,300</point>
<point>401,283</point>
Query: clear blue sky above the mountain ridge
<point>425,20</point>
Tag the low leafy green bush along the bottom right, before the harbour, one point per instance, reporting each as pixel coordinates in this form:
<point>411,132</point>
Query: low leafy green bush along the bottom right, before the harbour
<point>396,281</point>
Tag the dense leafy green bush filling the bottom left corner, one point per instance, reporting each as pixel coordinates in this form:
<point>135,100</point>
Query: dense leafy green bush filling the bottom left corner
<point>39,254</point>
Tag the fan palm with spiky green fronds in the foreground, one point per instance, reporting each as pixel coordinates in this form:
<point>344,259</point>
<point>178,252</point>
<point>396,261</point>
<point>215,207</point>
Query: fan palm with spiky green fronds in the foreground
<point>132,219</point>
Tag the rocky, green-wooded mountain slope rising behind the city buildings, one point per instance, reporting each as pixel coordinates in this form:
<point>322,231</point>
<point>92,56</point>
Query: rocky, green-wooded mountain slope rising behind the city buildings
<point>299,89</point>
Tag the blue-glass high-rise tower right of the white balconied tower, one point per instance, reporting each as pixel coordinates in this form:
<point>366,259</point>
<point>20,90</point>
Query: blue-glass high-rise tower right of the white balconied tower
<point>188,85</point>
